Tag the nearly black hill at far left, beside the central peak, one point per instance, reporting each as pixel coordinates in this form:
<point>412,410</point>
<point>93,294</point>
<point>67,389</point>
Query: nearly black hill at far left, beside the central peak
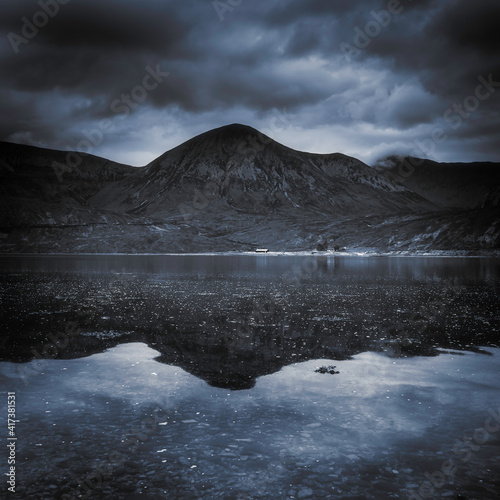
<point>38,186</point>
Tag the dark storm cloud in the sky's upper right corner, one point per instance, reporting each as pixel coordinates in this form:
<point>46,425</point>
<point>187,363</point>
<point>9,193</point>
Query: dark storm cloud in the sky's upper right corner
<point>448,44</point>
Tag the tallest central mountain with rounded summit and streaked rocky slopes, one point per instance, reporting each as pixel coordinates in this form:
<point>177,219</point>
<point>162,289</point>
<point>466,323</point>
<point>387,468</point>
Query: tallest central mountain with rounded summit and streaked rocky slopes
<point>245,171</point>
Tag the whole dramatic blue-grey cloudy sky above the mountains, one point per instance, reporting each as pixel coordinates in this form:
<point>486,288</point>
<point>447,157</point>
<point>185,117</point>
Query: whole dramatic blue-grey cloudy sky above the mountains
<point>130,79</point>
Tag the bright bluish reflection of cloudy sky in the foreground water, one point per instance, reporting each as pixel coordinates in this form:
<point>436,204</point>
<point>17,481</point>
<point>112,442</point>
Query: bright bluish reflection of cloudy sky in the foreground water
<point>374,430</point>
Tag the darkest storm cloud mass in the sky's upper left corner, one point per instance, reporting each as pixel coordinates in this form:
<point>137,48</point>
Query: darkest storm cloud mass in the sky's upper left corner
<point>93,46</point>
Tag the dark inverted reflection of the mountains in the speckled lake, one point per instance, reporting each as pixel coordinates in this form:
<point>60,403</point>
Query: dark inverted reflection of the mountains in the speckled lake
<point>231,319</point>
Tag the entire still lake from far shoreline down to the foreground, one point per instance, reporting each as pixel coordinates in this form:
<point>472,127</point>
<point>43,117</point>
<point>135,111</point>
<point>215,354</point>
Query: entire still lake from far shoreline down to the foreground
<point>212,376</point>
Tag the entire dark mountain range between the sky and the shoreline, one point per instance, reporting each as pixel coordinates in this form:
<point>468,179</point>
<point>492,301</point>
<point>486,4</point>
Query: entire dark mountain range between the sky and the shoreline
<point>233,188</point>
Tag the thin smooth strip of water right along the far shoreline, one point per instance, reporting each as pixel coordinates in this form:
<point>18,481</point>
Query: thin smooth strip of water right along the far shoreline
<point>486,269</point>
